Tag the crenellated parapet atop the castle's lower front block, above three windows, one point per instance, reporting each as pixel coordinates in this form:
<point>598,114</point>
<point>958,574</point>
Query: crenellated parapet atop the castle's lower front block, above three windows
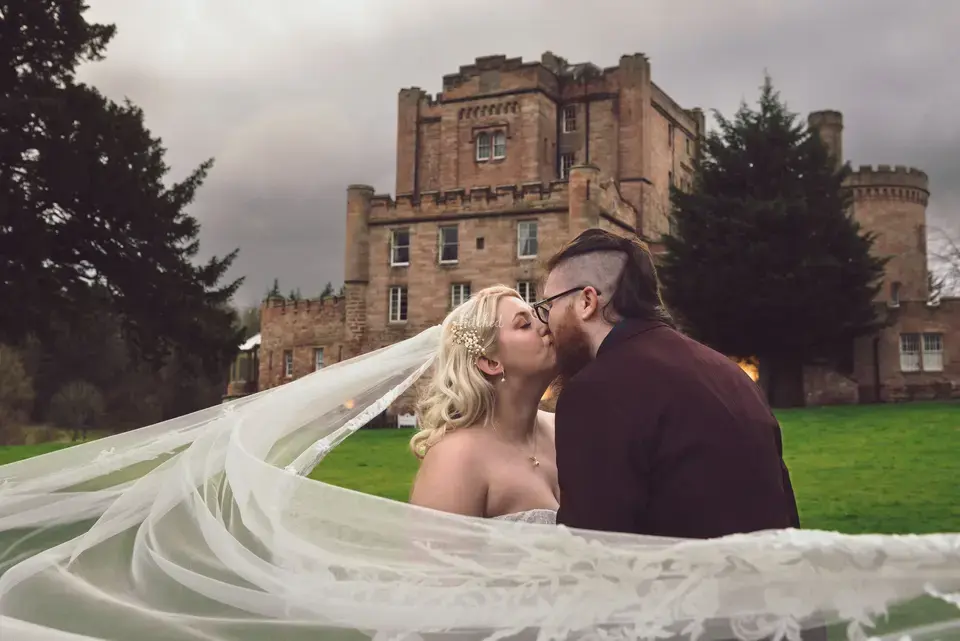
<point>529,196</point>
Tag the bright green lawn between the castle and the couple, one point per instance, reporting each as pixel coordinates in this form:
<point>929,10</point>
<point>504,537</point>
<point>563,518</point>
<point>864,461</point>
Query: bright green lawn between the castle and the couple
<point>880,468</point>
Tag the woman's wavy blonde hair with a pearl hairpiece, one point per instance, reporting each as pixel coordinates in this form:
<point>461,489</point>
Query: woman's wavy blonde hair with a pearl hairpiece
<point>459,394</point>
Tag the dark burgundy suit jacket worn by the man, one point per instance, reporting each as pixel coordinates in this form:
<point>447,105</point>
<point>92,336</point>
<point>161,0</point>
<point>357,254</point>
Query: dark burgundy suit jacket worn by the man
<point>661,435</point>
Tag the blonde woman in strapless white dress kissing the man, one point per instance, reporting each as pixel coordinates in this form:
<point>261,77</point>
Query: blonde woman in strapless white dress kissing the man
<point>487,449</point>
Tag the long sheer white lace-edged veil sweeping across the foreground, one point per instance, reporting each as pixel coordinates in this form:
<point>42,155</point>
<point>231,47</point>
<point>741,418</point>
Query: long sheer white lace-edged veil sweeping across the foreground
<point>205,527</point>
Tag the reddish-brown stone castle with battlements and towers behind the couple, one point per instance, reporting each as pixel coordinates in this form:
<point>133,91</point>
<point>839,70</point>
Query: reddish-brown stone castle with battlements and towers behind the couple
<point>513,159</point>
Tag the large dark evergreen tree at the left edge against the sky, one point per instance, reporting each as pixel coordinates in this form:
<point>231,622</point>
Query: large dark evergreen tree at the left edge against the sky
<point>84,203</point>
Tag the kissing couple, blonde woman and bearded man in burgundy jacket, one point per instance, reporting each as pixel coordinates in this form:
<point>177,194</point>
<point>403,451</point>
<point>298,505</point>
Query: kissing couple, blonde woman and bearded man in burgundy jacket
<point>654,433</point>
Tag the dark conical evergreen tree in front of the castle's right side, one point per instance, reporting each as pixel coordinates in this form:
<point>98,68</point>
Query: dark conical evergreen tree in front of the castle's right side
<point>765,259</point>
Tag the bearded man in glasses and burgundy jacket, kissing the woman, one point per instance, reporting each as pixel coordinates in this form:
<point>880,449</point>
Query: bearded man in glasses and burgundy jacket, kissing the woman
<point>656,433</point>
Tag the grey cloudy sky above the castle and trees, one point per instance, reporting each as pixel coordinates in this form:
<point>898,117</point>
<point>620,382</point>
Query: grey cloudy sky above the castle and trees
<point>296,99</point>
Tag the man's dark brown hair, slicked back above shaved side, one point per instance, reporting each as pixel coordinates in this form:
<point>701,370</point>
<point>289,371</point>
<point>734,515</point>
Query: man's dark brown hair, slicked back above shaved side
<point>636,294</point>
